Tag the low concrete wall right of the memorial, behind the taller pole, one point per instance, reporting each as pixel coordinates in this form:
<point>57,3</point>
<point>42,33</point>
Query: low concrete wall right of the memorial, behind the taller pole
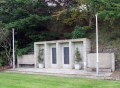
<point>106,60</point>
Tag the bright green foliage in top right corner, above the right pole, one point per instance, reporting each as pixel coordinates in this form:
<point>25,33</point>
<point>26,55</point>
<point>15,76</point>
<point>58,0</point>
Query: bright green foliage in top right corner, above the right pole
<point>109,11</point>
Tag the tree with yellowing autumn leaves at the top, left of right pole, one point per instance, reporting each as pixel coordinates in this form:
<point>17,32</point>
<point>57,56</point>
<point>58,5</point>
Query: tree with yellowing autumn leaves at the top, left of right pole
<point>75,12</point>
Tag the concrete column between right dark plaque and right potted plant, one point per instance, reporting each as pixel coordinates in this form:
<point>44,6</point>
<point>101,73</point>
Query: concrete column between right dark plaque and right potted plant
<point>71,54</point>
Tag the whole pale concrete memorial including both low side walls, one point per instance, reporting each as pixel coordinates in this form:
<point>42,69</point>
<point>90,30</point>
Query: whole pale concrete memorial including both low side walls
<point>60,54</point>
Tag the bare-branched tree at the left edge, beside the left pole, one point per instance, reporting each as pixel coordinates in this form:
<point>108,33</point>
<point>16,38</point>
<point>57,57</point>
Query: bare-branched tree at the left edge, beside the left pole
<point>6,46</point>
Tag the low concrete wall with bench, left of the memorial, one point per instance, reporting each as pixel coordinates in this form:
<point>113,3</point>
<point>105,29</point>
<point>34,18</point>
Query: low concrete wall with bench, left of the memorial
<point>25,60</point>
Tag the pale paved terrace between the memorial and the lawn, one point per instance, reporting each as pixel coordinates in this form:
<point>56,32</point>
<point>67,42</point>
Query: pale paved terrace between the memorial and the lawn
<point>63,72</point>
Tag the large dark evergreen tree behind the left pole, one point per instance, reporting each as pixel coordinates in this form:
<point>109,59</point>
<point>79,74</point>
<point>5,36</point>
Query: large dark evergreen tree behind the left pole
<point>29,18</point>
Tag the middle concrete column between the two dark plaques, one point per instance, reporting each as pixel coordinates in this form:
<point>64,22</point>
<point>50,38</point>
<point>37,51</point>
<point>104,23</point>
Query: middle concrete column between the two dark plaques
<point>59,55</point>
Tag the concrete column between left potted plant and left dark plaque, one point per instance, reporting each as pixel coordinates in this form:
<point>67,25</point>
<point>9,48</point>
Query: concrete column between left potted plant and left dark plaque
<point>47,56</point>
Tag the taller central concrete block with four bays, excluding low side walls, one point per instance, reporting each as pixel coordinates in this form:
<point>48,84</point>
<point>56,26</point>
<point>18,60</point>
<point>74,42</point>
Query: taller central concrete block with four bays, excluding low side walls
<point>83,45</point>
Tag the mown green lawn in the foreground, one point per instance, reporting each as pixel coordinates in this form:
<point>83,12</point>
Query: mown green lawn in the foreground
<point>16,80</point>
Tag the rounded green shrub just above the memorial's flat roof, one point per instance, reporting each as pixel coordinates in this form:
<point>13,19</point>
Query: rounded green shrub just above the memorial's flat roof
<point>78,32</point>
